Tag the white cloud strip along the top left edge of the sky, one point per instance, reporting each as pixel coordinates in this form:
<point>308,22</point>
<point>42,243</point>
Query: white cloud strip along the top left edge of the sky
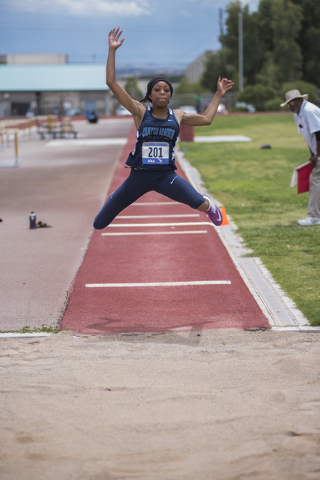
<point>81,8</point>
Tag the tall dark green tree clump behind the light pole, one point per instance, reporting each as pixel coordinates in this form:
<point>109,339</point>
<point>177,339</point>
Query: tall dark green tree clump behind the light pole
<point>281,43</point>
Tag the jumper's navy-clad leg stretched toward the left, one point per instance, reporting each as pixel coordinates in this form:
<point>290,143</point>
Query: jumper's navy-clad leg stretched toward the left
<point>132,188</point>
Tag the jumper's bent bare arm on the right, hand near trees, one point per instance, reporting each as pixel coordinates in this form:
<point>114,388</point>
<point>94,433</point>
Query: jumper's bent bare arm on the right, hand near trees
<point>197,119</point>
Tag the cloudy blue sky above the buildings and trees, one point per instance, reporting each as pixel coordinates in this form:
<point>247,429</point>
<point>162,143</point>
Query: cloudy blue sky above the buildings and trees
<point>157,32</point>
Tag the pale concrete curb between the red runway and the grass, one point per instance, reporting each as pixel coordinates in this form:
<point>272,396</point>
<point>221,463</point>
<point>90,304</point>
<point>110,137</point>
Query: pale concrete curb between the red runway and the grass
<point>279,309</point>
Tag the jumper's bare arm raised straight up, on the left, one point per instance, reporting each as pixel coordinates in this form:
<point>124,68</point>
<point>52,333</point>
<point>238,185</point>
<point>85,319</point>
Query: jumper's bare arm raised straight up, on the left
<point>135,108</point>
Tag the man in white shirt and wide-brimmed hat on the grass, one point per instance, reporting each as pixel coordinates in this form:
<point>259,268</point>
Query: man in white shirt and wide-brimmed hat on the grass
<point>307,117</point>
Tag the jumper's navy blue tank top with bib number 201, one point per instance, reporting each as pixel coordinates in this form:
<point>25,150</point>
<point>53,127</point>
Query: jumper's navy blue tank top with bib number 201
<point>156,141</point>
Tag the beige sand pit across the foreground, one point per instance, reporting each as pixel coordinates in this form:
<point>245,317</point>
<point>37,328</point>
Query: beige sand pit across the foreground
<point>197,405</point>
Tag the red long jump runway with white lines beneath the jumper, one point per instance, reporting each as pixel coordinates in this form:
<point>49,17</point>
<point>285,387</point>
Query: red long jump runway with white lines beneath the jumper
<point>159,267</point>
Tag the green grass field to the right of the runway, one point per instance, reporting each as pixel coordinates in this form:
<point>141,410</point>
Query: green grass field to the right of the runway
<point>254,186</point>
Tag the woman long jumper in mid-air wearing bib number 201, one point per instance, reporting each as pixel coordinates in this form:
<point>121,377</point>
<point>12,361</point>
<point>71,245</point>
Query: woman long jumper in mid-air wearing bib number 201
<point>152,161</point>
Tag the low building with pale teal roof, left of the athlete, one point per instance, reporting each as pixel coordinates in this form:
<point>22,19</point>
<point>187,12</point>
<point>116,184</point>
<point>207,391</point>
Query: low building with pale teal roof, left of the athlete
<point>46,88</point>
